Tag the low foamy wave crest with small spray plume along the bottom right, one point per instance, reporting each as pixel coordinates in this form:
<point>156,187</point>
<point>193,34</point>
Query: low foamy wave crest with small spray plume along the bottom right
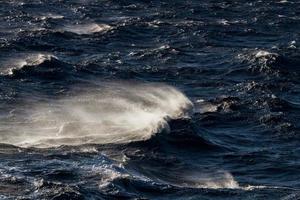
<point>220,180</point>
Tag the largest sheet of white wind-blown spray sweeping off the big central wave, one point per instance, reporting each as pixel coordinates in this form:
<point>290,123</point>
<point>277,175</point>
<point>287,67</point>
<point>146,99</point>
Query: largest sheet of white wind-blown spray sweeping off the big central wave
<point>119,113</point>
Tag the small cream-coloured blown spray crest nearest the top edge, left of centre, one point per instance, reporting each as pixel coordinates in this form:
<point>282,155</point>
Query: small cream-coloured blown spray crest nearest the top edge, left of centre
<point>86,29</point>
